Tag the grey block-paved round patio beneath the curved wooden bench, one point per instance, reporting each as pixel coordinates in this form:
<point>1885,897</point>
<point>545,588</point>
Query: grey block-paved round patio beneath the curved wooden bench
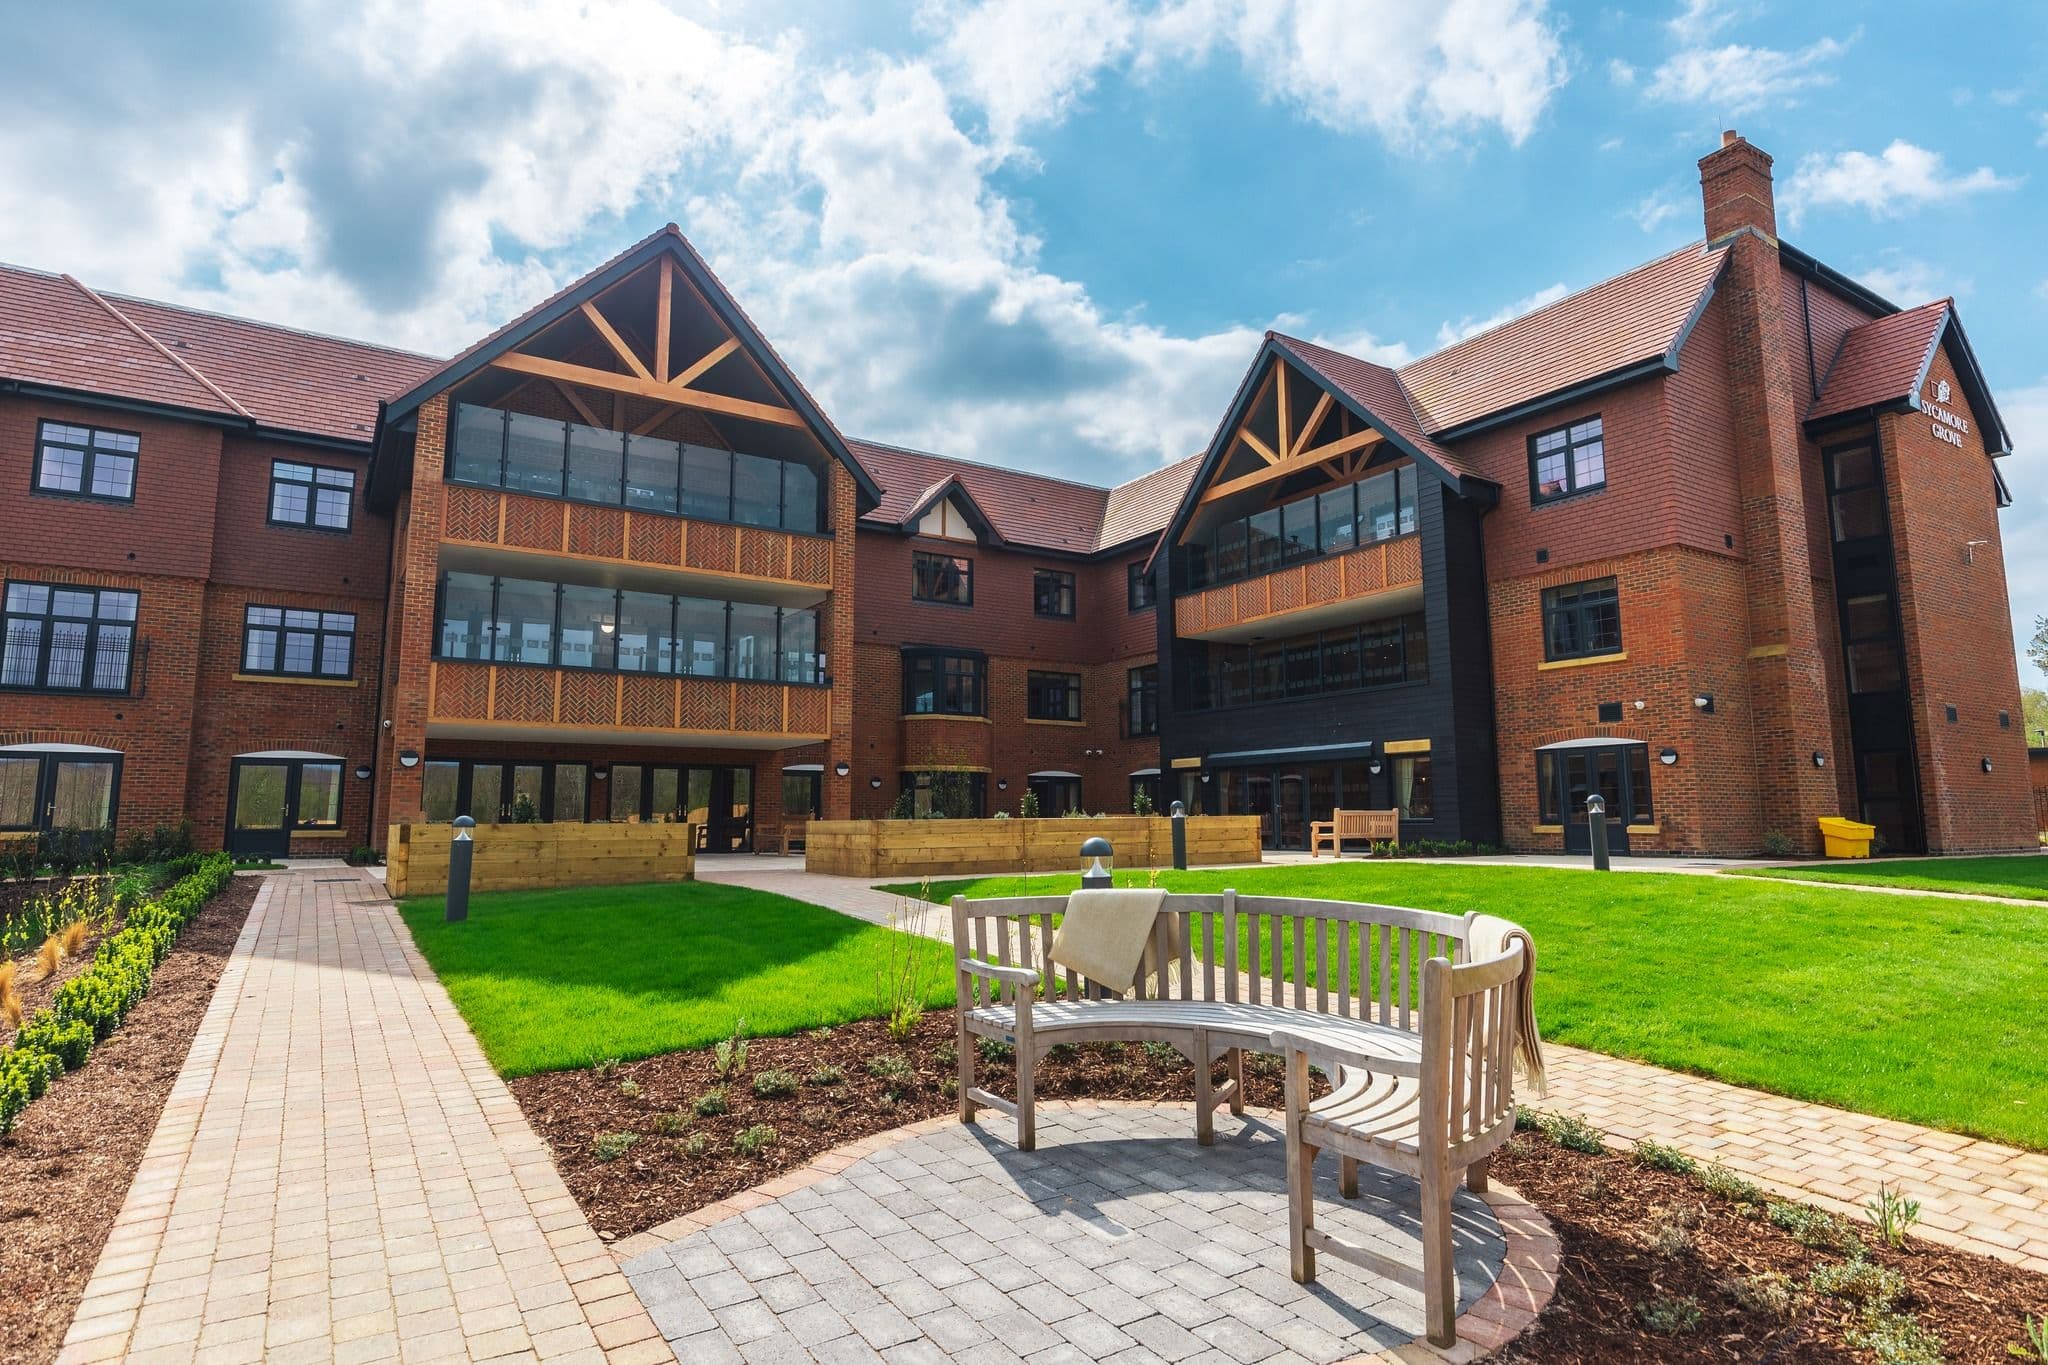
<point>1119,1239</point>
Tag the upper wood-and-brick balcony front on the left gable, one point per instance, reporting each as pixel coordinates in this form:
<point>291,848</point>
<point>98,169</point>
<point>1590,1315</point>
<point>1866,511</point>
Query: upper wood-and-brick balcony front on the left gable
<point>499,531</point>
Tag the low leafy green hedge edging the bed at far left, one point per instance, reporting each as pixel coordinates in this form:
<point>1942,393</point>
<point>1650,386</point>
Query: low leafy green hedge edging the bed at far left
<point>93,1004</point>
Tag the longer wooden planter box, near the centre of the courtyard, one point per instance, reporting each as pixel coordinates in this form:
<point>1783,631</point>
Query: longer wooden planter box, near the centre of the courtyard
<point>968,848</point>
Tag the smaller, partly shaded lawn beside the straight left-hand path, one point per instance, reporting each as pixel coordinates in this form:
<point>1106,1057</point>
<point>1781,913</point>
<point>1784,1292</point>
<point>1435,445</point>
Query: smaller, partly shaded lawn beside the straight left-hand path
<point>556,979</point>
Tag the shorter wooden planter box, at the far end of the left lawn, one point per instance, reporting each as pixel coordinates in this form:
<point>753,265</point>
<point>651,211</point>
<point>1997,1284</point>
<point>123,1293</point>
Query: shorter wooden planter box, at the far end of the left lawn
<point>538,856</point>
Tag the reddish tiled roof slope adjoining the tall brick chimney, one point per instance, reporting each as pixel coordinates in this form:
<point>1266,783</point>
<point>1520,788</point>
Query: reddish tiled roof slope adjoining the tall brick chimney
<point>1633,322</point>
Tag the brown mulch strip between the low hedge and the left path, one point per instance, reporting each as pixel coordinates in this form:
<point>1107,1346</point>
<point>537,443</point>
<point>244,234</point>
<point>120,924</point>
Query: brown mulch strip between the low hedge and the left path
<point>71,1159</point>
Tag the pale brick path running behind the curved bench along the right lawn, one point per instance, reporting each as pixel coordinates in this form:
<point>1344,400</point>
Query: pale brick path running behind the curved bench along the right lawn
<point>1979,1196</point>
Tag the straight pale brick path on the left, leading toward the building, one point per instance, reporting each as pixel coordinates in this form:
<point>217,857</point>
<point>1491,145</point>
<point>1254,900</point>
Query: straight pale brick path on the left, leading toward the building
<point>341,1176</point>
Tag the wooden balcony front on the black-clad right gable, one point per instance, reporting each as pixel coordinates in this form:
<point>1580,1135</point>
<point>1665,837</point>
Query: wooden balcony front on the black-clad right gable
<point>1375,580</point>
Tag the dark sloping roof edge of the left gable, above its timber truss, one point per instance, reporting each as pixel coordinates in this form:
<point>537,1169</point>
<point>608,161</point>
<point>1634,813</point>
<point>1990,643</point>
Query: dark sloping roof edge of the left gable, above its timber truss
<point>667,240</point>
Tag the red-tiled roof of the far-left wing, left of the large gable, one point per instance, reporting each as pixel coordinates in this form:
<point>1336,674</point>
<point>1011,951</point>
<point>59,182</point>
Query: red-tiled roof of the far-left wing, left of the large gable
<point>60,337</point>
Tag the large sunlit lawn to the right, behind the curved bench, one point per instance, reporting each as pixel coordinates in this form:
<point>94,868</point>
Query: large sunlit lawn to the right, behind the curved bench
<point>1912,1008</point>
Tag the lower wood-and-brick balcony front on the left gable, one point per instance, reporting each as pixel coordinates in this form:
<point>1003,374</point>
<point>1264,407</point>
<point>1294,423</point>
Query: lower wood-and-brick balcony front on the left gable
<point>511,701</point>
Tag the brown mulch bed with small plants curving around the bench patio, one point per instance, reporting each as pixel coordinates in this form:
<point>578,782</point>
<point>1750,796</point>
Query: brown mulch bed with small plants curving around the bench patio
<point>1605,1208</point>
